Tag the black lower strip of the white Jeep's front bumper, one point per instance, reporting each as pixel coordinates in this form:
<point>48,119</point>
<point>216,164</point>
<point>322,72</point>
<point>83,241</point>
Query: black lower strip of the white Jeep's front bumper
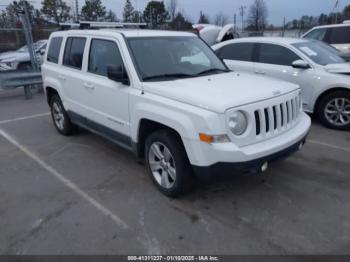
<point>253,166</point>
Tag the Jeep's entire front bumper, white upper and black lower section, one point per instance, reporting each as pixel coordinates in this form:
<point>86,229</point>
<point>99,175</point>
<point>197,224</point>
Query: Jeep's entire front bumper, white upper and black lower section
<point>207,158</point>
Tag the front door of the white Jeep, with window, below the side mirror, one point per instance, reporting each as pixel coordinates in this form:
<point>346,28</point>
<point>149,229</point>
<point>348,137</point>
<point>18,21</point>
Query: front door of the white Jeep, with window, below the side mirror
<point>106,99</point>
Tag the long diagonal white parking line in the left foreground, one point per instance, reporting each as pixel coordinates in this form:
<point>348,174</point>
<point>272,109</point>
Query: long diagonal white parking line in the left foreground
<point>66,181</point>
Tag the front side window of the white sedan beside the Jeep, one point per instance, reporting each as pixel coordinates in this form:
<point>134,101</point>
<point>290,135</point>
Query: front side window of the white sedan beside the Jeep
<point>276,55</point>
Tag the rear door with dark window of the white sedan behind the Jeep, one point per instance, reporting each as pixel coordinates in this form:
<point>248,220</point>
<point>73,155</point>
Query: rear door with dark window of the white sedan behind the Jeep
<point>238,56</point>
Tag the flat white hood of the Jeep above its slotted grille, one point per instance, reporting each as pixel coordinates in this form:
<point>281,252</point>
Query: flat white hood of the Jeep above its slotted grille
<point>221,91</point>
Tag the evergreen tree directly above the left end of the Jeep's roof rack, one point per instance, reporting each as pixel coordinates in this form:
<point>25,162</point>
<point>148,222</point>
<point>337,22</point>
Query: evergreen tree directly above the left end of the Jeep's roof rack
<point>56,10</point>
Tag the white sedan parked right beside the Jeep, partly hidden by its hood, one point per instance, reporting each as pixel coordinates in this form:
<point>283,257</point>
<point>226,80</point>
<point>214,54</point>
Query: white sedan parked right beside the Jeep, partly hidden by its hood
<point>324,77</point>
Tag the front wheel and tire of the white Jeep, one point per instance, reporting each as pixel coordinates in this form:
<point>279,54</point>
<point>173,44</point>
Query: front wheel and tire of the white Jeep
<point>167,163</point>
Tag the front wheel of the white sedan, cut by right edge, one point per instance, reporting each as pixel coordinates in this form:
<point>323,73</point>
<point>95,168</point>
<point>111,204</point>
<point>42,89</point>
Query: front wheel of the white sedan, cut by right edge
<point>334,110</point>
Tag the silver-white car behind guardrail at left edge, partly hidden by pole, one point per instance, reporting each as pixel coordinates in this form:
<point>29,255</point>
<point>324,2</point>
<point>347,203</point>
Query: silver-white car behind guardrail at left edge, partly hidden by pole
<point>20,59</point>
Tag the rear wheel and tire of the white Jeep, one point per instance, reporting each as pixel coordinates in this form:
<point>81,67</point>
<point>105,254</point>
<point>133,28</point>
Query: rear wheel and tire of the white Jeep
<point>60,117</point>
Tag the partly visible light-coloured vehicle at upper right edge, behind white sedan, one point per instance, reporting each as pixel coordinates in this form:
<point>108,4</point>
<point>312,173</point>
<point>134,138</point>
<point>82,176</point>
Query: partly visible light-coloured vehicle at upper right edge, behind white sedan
<point>335,35</point>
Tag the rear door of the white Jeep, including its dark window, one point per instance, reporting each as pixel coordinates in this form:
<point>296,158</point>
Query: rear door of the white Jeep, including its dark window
<point>71,76</point>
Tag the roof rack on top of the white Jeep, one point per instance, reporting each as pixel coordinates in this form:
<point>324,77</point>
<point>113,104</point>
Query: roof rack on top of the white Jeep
<point>97,25</point>
